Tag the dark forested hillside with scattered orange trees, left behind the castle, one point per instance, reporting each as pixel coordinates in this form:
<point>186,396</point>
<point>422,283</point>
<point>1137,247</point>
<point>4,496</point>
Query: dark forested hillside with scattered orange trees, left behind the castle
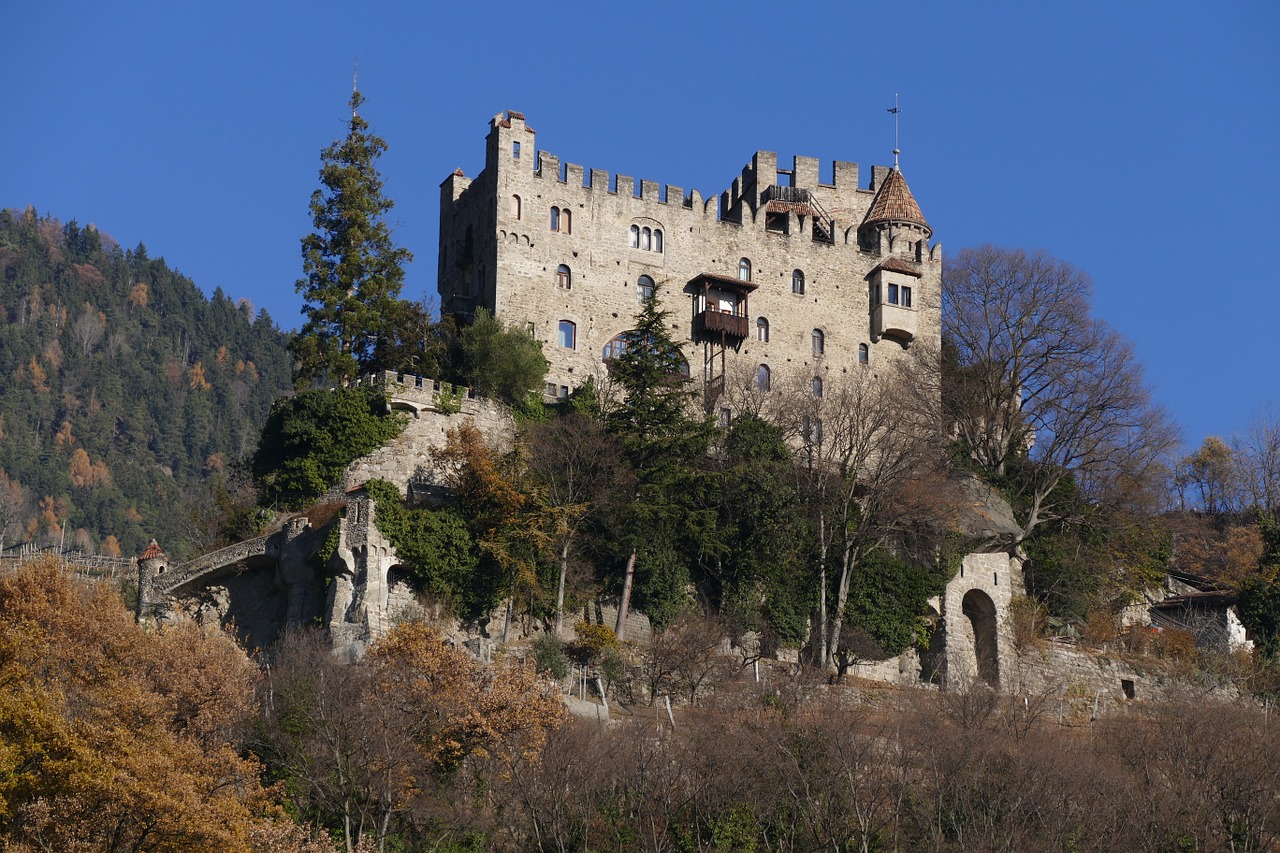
<point>126,395</point>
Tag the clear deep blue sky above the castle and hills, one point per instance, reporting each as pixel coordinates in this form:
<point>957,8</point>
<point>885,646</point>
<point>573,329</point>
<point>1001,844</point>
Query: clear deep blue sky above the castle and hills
<point>1136,140</point>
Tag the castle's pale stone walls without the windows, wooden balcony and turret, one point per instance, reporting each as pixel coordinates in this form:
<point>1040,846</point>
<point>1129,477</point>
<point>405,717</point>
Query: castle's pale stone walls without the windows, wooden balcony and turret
<point>511,266</point>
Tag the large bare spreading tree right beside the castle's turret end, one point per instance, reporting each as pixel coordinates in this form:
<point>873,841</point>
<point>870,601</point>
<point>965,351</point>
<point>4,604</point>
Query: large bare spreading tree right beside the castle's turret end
<point>1032,375</point>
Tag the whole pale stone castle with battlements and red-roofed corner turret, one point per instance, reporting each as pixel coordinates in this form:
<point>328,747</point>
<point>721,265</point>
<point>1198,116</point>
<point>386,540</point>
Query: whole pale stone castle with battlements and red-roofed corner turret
<point>781,275</point>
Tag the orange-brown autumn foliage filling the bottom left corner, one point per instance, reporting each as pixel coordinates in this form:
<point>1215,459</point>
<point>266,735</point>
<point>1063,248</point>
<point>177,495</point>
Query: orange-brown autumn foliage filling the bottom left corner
<point>116,740</point>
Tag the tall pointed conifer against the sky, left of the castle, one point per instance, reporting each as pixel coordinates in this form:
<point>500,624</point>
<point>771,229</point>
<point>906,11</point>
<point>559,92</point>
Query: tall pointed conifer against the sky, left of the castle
<point>354,270</point>
